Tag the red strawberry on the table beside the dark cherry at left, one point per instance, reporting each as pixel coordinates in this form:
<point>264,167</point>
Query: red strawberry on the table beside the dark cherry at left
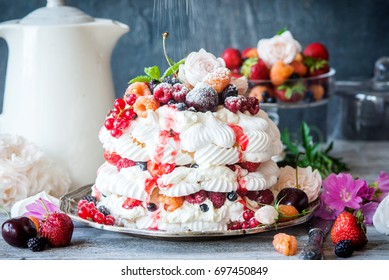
<point>57,228</point>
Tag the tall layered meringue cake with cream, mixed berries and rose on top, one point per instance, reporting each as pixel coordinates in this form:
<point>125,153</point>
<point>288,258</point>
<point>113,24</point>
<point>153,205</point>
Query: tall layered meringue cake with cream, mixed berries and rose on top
<point>186,150</point>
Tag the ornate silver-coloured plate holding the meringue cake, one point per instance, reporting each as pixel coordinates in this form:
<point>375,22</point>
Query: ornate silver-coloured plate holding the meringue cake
<point>68,204</point>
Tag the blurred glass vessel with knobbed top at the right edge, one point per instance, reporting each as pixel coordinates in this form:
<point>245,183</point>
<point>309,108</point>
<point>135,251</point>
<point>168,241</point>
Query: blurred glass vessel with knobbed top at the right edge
<point>364,106</point>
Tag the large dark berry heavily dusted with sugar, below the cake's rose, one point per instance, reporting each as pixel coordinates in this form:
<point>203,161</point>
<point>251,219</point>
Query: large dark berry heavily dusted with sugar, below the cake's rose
<point>203,98</point>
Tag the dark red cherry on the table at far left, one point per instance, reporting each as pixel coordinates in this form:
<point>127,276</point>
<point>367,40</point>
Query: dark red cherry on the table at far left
<point>17,231</point>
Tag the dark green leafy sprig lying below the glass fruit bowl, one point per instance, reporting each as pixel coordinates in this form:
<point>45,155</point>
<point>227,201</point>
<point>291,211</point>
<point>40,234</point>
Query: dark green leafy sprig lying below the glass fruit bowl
<point>314,154</point>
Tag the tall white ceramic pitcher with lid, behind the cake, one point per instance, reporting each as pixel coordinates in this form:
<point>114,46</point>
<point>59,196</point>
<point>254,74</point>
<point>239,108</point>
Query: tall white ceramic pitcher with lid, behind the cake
<point>58,85</point>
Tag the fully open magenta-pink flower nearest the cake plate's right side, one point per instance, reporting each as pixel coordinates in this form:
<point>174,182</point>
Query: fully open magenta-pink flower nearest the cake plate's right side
<point>341,191</point>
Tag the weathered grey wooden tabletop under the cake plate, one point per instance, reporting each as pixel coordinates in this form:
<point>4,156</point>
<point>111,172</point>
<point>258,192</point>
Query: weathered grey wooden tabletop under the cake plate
<point>366,160</point>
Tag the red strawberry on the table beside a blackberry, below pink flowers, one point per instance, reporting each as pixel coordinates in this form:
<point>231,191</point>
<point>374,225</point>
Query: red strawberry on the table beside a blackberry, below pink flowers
<point>349,227</point>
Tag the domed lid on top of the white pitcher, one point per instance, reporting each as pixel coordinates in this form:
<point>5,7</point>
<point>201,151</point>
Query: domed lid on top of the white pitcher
<point>56,13</point>
